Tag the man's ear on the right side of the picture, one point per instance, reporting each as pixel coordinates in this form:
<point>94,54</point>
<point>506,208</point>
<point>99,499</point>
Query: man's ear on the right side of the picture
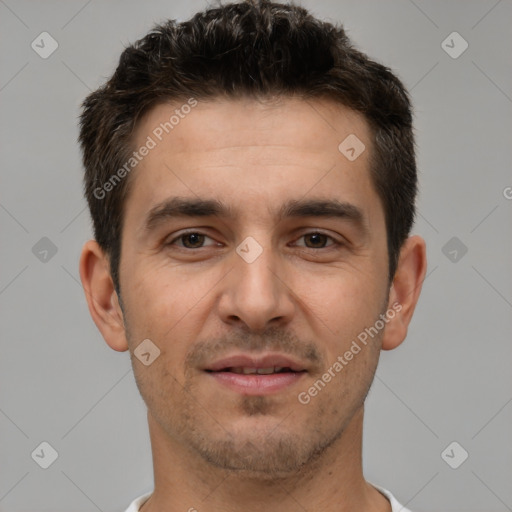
<point>405,290</point>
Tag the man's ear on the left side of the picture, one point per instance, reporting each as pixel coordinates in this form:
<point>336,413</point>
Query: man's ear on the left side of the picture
<point>101,296</point>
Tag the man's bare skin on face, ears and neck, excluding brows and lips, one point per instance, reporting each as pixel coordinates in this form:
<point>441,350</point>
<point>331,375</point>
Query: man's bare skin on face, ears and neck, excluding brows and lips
<point>308,296</point>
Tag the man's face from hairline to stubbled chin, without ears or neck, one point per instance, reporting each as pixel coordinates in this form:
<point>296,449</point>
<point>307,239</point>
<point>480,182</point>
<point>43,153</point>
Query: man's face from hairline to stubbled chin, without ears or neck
<point>262,283</point>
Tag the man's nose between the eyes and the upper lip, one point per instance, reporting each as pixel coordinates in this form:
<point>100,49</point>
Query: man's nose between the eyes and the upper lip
<point>256,295</point>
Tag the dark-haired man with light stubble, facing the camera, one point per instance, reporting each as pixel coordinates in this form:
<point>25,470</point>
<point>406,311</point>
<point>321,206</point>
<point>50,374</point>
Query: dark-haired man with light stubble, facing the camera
<point>251,179</point>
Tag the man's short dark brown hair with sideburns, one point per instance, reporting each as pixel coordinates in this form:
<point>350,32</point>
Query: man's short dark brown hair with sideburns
<point>256,49</point>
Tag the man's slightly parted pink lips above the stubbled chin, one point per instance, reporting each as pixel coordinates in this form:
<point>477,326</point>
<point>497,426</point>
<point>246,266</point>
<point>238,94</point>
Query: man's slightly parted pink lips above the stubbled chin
<point>250,375</point>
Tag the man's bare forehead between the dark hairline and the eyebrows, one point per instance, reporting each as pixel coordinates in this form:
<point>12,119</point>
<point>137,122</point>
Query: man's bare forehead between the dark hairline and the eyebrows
<point>244,150</point>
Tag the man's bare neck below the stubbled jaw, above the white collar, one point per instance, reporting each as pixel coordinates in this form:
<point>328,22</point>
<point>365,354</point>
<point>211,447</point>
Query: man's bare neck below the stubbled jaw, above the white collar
<point>332,482</point>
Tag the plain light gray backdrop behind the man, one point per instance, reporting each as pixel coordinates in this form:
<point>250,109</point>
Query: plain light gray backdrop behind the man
<point>451,379</point>
